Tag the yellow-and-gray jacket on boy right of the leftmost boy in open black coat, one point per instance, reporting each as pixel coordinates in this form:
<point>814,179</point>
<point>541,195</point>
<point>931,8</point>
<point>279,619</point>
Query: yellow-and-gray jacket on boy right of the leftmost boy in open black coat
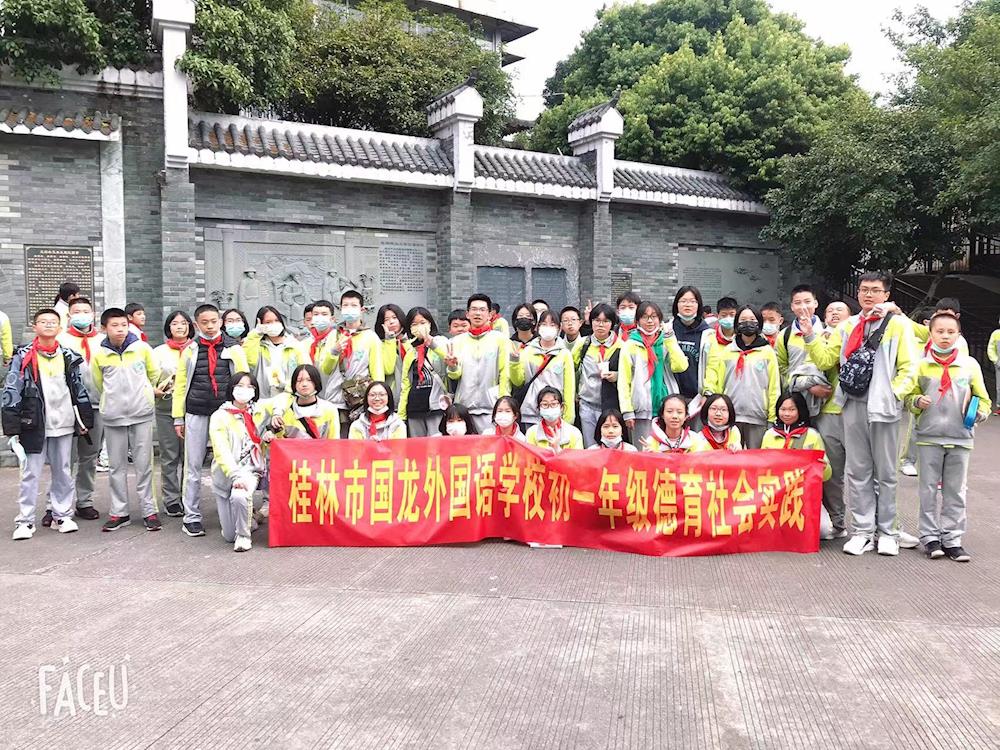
<point>125,380</point>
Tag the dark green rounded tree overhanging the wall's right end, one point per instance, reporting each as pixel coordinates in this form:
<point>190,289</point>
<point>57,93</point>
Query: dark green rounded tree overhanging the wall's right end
<point>865,196</point>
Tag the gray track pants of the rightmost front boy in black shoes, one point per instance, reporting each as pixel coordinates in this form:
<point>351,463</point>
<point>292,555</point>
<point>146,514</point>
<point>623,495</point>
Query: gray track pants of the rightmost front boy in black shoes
<point>950,466</point>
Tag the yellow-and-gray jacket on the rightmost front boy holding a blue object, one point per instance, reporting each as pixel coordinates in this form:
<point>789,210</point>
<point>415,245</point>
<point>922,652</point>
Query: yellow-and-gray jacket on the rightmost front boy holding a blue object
<point>943,422</point>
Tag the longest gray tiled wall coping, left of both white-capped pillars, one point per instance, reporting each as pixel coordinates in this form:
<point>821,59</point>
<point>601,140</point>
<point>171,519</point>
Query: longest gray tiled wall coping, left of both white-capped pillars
<point>265,138</point>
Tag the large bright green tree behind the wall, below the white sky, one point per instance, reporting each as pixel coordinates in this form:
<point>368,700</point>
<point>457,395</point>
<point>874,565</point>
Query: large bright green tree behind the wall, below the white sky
<point>721,85</point>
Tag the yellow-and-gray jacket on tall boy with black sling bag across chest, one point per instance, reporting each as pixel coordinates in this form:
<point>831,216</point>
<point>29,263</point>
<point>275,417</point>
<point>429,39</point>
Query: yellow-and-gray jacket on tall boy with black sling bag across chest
<point>895,368</point>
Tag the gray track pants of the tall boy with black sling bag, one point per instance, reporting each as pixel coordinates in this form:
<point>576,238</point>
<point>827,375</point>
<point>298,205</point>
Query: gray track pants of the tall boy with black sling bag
<point>872,454</point>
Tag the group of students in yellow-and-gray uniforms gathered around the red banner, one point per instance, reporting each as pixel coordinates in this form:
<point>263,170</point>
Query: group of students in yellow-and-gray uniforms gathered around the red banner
<point>613,377</point>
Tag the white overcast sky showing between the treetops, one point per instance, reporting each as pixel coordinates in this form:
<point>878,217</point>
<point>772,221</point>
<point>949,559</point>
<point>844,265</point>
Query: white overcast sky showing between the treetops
<point>857,23</point>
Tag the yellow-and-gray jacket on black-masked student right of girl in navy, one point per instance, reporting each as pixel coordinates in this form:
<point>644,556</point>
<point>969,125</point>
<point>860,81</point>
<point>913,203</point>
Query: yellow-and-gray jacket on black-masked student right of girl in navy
<point>753,391</point>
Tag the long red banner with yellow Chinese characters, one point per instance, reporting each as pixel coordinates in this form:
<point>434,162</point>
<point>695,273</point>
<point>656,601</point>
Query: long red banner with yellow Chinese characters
<point>450,489</point>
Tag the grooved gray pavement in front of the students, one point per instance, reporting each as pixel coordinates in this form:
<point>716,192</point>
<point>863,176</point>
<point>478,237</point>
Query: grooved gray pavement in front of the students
<point>500,646</point>
